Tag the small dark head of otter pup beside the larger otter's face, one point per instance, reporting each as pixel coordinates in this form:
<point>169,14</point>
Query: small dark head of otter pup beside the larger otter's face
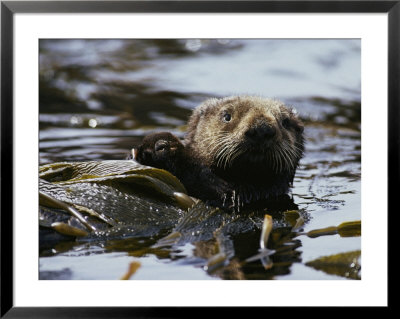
<point>159,150</point>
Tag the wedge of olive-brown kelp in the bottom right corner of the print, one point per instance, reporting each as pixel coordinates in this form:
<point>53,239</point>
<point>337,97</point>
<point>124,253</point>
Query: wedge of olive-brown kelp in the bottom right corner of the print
<point>346,265</point>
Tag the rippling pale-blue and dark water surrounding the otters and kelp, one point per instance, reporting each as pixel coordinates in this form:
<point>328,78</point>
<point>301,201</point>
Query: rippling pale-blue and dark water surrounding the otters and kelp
<point>98,98</point>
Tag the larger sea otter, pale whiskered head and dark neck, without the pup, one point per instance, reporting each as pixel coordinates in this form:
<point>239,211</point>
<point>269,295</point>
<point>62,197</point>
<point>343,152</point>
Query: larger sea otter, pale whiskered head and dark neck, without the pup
<point>252,143</point>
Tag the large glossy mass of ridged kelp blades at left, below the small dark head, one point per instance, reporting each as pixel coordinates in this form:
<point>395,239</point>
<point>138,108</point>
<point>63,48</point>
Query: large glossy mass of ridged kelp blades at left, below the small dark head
<point>109,199</point>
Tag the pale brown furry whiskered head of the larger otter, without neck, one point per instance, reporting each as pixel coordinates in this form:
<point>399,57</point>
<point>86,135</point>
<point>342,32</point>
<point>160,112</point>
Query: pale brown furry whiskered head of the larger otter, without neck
<point>246,133</point>
